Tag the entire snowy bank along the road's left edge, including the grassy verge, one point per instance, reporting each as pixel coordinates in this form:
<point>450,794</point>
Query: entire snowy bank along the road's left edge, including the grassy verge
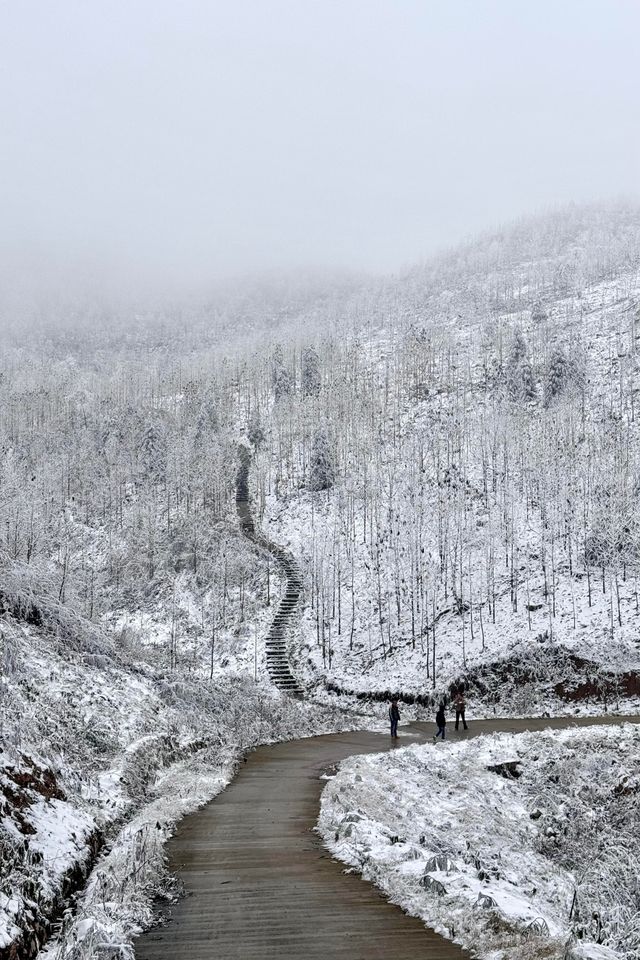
<point>106,753</point>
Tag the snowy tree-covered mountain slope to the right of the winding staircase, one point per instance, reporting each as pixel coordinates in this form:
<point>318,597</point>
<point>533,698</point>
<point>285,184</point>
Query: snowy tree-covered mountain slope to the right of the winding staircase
<point>481,499</point>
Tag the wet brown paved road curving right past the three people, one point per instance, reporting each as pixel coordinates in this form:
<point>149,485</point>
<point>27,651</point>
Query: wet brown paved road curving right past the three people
<point>259,884</point>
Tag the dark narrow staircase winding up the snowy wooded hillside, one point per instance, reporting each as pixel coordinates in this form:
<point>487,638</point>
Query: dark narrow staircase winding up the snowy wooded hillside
<point>276,641</point>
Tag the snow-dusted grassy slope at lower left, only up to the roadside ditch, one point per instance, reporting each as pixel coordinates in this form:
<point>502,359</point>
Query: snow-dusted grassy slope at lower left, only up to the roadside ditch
<point>83,734</point>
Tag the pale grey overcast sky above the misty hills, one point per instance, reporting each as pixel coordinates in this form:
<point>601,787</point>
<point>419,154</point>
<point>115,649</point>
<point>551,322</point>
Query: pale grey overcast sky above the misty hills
<point>193,139</point>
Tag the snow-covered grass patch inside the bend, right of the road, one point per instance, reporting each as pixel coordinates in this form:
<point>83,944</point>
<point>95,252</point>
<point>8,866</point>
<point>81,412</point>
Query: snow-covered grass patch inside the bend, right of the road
<point>518,847</point>
